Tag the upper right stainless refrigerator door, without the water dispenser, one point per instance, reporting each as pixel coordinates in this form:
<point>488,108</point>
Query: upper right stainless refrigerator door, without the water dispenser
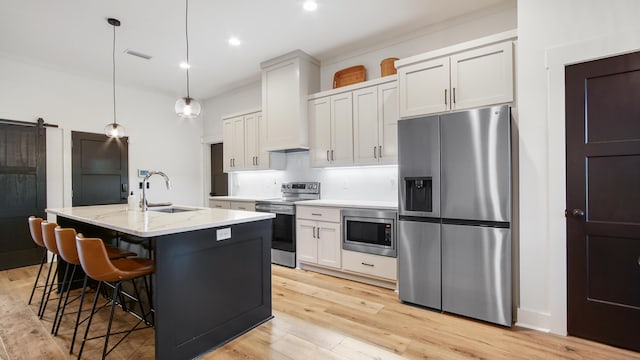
<point>476,164</point>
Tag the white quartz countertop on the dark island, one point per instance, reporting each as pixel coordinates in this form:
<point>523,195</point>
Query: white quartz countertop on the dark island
<point>154,223</point>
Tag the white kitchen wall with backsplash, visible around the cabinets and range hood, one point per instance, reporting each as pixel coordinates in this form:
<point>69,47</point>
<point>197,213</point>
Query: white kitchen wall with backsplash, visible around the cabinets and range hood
<point>347,184</point>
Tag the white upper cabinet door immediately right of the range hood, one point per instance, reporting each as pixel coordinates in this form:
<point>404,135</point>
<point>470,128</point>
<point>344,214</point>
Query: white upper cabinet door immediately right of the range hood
<point>320,131</point>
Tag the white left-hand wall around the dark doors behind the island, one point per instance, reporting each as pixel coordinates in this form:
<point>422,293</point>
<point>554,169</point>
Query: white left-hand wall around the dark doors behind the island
<point>158,140</point>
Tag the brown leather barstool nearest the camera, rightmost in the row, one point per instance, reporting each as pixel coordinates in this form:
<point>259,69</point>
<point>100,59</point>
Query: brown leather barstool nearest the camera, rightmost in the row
<point>96,264</point>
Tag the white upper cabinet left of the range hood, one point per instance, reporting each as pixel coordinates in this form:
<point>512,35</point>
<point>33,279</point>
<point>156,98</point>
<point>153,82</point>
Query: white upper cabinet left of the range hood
<point>242,148</point>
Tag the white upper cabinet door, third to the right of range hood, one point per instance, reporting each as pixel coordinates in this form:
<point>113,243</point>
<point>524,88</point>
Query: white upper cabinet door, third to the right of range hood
<point>365,126</point>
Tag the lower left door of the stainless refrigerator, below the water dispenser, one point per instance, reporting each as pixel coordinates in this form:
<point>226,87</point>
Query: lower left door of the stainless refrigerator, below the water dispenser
<point>419,267</point>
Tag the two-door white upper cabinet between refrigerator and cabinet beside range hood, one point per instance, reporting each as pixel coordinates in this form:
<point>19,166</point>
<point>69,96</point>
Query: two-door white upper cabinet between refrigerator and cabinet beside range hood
<point>375,121</point>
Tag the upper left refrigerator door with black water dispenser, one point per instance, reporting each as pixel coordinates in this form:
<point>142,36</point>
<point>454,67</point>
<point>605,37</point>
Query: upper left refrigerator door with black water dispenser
<point>418,160</point>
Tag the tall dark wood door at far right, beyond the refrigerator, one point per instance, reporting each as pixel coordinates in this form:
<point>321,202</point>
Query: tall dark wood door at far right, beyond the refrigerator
<point>603,200</point>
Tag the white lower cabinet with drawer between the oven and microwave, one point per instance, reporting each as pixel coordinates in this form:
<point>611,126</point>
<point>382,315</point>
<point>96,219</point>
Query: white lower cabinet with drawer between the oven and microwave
<point>319,242</point>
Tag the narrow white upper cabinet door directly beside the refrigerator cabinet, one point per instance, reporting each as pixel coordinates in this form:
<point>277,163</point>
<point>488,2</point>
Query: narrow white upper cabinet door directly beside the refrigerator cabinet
<point>388,123</point>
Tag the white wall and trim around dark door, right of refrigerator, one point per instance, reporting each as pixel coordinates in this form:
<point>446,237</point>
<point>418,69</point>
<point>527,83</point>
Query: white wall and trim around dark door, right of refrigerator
<point>551,34</point>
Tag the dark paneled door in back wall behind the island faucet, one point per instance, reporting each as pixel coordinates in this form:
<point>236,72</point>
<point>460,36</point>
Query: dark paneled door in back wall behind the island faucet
<point>100,171</point>
